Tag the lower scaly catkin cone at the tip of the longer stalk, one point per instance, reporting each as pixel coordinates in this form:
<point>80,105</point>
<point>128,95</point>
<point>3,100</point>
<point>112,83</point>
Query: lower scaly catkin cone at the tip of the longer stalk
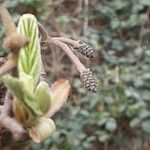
<point>89,80</point>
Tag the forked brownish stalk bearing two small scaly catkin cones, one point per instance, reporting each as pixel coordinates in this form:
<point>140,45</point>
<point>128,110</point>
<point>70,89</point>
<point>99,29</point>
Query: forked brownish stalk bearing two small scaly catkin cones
<point>68,46</point>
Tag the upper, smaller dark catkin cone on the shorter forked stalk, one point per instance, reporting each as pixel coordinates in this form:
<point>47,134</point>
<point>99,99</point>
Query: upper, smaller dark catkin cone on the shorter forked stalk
<point>86,50</point>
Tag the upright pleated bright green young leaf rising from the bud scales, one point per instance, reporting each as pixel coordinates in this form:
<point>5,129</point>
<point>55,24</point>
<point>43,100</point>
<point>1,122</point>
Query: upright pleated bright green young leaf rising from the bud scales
<point>30,56</point>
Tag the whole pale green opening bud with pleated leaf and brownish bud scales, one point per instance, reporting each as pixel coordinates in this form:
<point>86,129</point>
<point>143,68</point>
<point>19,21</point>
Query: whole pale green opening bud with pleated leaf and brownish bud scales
<point>33,99</point>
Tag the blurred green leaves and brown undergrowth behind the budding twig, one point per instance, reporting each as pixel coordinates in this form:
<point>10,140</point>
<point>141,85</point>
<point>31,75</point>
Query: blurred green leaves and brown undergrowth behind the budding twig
<point>118,115</point>
